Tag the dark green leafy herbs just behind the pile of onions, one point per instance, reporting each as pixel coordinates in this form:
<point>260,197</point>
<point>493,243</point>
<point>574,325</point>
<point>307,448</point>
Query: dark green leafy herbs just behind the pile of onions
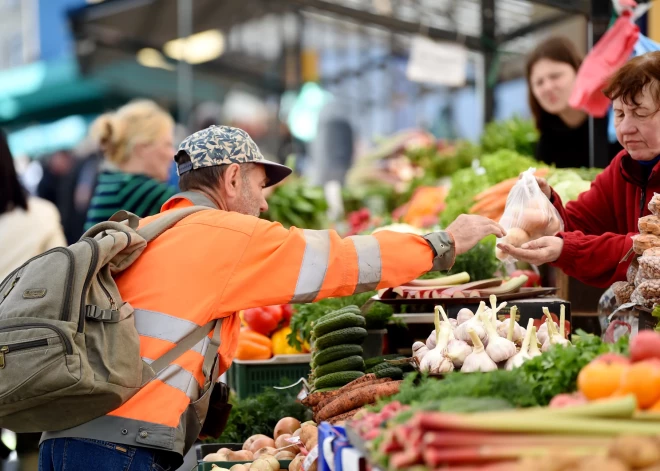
<point>260,413</point>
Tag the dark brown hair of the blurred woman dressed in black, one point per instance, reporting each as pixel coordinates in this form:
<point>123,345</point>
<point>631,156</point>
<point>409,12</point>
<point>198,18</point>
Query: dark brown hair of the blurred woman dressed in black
<point>557,49</point>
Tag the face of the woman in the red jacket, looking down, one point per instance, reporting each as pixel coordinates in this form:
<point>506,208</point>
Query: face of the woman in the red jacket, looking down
<point>638,127</point>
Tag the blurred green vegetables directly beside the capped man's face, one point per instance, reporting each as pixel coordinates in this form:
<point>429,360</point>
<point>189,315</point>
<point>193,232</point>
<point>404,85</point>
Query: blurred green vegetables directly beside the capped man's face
<point>296,203</point>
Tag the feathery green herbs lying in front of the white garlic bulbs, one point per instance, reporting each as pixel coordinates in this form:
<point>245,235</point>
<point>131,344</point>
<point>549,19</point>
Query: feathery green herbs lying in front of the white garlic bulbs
<point>535,383</point>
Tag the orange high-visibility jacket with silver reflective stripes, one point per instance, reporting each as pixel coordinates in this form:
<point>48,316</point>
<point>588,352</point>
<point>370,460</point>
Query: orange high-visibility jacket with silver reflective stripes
<point>213,264</point>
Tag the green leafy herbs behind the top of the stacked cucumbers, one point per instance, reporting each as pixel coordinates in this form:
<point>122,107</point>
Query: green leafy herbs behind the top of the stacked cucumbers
<point>377,315</point>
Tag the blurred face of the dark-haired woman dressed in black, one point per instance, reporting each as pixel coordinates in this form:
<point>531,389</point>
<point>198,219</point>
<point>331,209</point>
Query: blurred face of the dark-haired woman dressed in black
<point>551,83</point>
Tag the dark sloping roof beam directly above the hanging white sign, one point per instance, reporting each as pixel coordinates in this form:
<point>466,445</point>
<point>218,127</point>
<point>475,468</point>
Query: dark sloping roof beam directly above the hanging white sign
<point>393,24</point>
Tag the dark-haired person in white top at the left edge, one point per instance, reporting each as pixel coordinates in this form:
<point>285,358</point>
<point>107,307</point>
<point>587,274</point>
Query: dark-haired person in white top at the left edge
<point>28,225</point>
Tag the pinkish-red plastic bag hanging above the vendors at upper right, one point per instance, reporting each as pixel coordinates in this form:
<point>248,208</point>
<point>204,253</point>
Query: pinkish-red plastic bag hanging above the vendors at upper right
<point>611,52</point>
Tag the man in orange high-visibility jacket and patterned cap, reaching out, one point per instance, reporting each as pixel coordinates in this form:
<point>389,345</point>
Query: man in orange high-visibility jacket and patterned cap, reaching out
<point>213,264</point>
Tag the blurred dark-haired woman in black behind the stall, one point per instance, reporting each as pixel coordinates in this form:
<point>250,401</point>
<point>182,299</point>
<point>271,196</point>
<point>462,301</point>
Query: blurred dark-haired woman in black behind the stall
<point>564,132</point>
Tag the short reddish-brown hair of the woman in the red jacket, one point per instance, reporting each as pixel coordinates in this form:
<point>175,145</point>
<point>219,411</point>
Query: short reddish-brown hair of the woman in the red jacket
<point>630,80</point>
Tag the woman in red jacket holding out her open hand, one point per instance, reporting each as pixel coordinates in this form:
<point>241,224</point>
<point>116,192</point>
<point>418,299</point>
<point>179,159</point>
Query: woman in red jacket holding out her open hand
<point>600,224</point>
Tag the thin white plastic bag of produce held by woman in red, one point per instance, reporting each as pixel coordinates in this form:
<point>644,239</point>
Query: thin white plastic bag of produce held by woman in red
<point>528,214</point>
